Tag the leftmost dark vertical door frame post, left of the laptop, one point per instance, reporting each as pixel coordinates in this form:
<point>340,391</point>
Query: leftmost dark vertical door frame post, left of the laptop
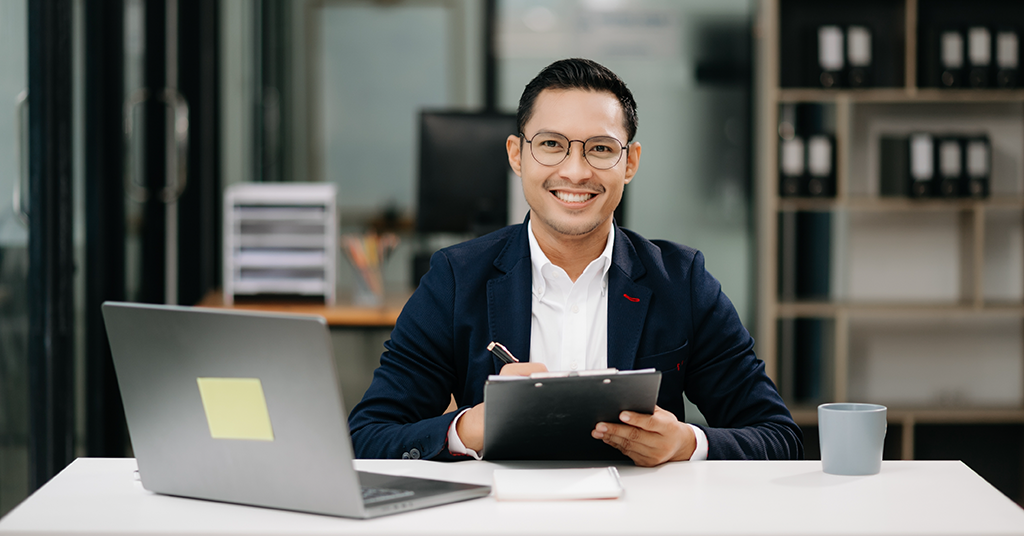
<point>52,305</point>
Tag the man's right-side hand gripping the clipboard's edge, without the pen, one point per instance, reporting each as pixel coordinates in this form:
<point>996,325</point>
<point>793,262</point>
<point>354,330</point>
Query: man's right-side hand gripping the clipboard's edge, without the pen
<point>650,440</point>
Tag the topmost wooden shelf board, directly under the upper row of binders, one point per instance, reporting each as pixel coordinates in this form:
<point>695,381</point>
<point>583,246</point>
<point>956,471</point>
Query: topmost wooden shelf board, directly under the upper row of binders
<point>901,96</point>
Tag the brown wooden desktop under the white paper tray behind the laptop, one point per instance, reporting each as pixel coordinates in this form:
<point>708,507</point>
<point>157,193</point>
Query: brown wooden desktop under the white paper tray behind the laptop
<point>343,315</point>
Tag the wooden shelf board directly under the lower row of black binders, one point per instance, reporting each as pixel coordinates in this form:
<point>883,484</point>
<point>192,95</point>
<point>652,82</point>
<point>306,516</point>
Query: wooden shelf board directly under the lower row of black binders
<point>895,204</point>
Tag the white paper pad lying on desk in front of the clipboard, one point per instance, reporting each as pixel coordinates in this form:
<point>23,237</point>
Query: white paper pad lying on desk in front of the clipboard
<point>594,483</point>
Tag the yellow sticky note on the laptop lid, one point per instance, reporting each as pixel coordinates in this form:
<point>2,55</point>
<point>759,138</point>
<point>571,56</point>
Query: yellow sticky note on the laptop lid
<point>236,408</point>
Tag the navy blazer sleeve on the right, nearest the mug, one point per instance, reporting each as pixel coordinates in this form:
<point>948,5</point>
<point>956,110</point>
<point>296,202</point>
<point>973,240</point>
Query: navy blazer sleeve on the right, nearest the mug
<point>747,419</point>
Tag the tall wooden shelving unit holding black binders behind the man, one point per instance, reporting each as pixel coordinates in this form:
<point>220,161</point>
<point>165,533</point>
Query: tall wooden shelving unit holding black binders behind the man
<point>973,286</point>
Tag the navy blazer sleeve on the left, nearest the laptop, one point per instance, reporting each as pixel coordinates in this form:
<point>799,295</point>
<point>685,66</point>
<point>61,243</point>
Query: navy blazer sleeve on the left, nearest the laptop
<point>401,416</point>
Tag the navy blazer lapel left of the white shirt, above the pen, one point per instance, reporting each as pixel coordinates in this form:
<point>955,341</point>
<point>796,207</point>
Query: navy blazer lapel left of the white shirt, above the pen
<point>510,298</point>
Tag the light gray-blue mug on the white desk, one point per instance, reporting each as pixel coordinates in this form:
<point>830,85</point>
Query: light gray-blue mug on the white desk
<point>851,438</point>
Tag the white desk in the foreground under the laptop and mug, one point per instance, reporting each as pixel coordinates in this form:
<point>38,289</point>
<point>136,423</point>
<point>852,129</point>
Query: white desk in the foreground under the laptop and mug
<point>101,497</point>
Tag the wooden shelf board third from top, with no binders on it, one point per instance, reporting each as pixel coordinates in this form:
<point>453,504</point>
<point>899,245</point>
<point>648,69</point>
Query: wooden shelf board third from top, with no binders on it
<point>899,311</point>
